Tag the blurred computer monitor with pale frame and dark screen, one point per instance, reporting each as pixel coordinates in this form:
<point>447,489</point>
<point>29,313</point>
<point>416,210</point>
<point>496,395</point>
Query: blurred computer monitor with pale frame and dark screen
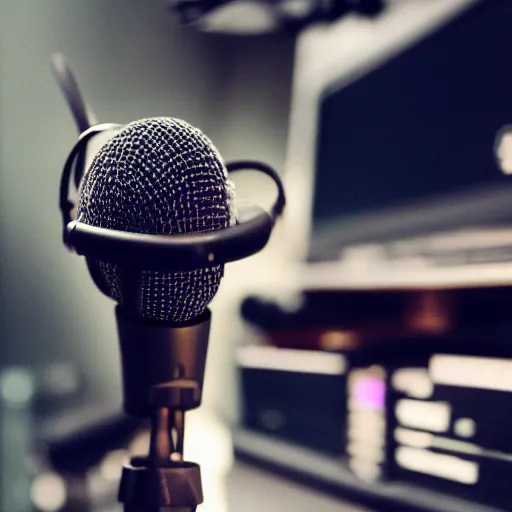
<point>394,124</point>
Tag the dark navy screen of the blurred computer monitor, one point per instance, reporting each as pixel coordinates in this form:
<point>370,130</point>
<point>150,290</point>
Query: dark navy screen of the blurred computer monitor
<point>421,125</point>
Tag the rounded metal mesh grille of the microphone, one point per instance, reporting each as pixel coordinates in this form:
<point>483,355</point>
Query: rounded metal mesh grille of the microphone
<point>159,176</point>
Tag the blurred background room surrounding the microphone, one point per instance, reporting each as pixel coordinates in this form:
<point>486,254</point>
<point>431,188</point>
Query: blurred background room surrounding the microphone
<point>362,360</point>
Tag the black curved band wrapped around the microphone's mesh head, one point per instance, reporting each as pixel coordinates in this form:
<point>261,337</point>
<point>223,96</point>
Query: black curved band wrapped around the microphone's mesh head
<point>162,252</point>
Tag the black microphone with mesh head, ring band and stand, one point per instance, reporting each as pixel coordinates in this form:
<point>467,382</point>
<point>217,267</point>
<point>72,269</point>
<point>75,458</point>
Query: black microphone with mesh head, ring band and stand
<point>157,221</point>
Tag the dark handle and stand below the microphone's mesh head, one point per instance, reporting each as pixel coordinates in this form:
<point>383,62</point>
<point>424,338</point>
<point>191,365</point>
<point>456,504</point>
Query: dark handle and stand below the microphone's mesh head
<point>163,371</point>
